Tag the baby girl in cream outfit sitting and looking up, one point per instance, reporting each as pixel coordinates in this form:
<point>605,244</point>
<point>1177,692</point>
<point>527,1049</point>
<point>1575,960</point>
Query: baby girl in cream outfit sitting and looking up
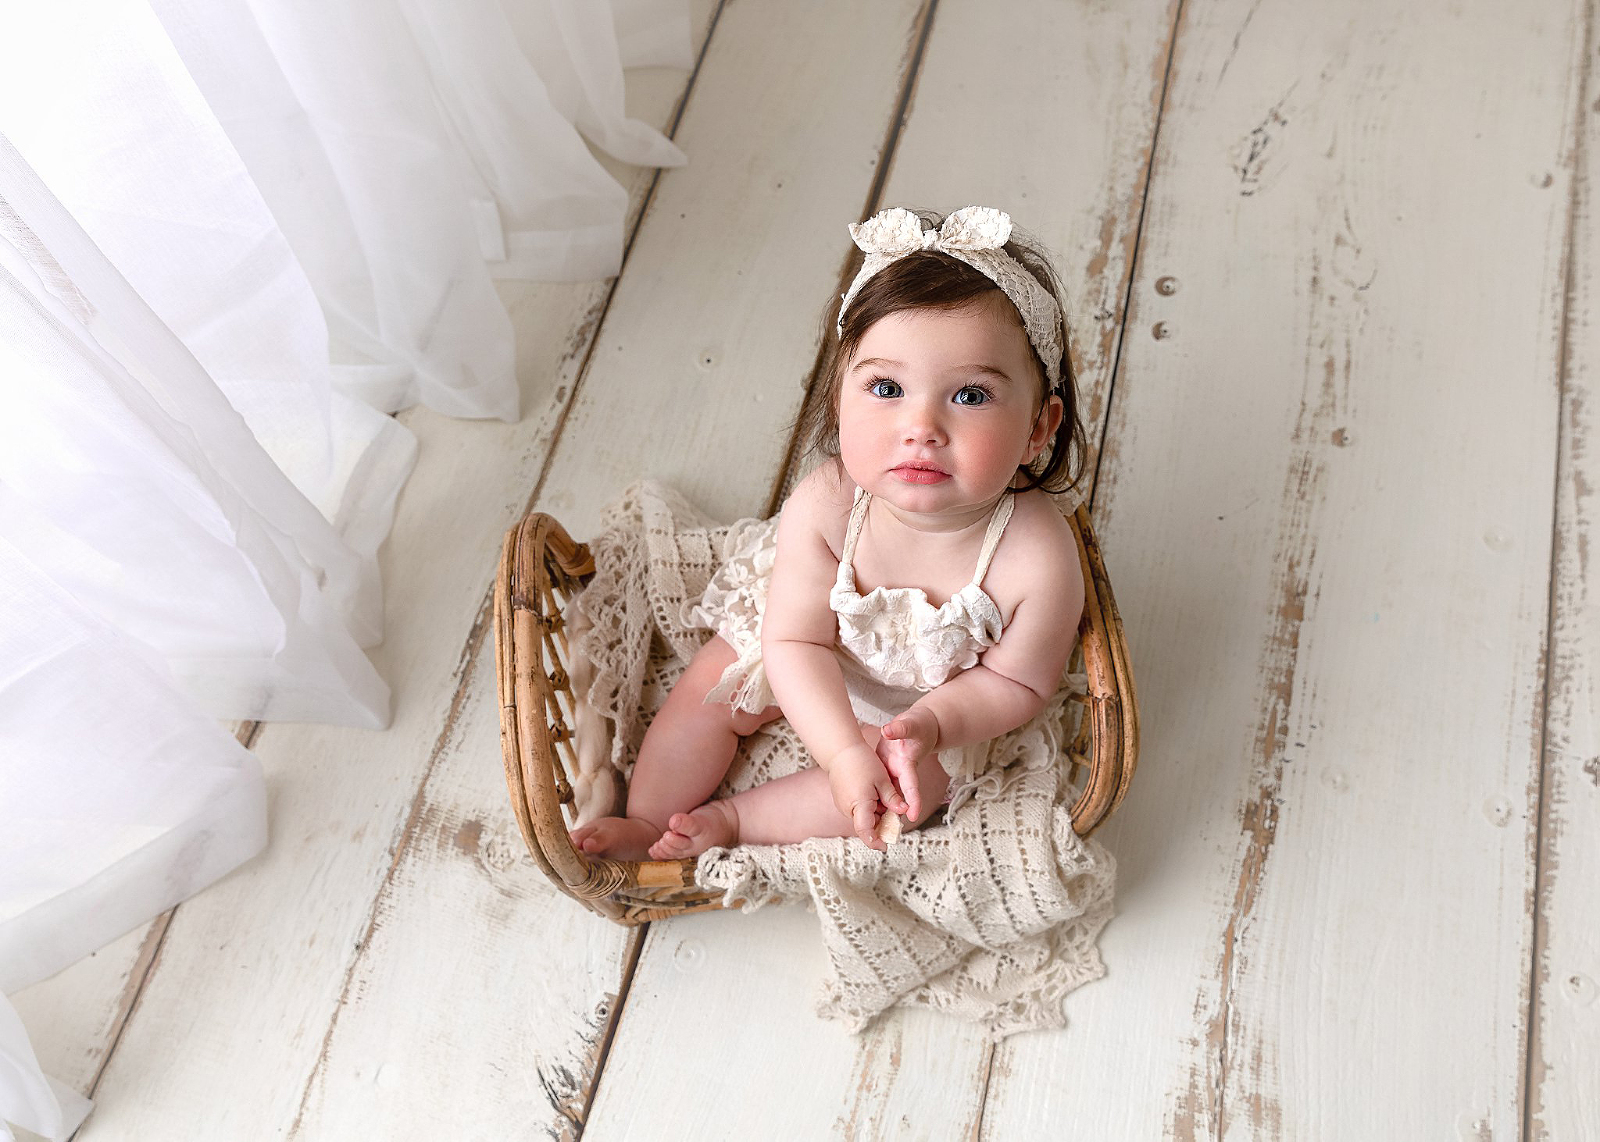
<point>926,591</point>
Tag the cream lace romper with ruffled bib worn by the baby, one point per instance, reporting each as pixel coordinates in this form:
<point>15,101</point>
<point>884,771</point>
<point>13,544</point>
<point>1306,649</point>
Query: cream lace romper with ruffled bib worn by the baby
<point>894,644</point>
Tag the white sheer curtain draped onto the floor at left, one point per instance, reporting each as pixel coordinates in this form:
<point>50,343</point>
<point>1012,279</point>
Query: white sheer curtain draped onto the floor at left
<point>234,234</point>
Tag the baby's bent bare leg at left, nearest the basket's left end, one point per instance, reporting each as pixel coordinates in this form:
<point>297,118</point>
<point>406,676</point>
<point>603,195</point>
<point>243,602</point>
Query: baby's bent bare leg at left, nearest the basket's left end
<point>684,757</point>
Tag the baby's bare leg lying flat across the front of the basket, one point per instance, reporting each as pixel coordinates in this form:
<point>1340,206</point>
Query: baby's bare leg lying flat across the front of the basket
<point>785,812</point>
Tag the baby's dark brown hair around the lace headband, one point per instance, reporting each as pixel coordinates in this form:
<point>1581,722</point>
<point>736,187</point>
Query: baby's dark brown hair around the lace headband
<point>934,281</point>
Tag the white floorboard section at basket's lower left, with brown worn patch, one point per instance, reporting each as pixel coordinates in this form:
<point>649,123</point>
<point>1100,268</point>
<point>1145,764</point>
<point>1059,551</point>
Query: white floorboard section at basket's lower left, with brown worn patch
<point>482,994</point>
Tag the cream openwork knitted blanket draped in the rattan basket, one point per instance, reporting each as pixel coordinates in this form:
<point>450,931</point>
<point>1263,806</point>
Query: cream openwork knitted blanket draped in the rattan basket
<point>991,916</point>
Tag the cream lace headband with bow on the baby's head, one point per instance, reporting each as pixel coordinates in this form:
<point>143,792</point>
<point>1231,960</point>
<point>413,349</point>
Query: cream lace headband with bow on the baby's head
<point>975,236</point>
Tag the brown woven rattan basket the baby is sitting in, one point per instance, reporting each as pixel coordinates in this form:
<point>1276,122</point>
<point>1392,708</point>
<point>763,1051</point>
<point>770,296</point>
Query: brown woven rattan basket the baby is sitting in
<point>542,569</point>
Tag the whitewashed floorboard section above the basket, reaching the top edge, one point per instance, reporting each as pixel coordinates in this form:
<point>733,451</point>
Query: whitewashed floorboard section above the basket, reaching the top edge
<point>714,329</point>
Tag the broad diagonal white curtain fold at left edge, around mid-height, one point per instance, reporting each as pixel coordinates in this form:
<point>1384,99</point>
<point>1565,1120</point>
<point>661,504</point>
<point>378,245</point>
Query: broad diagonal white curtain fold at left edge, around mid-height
<point>129,477</point>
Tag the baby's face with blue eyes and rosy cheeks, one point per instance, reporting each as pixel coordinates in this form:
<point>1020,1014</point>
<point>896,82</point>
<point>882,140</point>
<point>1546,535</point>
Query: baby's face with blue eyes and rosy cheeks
<point>938,409</point>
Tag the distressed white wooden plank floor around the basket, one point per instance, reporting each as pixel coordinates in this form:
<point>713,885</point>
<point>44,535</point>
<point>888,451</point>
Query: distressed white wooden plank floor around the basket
<point>1335,297</point>
